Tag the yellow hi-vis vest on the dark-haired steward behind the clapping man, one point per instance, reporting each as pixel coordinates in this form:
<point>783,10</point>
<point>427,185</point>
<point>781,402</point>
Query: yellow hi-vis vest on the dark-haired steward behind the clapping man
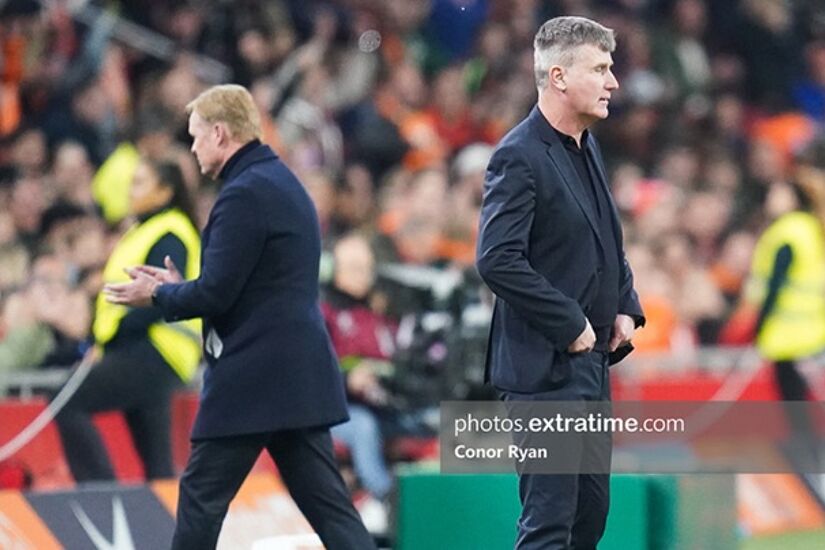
<point>178,343</point>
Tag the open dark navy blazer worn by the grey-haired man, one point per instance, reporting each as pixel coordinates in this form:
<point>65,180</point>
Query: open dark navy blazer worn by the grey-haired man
<point>539,251</point>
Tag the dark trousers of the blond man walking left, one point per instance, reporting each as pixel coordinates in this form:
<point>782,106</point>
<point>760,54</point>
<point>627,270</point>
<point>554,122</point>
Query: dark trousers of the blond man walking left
<point>305,460</point>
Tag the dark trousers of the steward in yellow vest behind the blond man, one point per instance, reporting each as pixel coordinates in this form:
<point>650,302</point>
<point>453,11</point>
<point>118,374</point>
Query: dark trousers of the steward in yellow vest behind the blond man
<point>132,378</point>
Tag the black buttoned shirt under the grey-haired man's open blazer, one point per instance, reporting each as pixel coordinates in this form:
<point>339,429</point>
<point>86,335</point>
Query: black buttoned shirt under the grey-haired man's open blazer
<point>605,305</point>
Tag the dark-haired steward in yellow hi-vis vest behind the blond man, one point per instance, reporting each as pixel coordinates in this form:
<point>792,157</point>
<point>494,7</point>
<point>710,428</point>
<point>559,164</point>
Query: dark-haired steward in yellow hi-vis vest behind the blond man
<point>140,359</point>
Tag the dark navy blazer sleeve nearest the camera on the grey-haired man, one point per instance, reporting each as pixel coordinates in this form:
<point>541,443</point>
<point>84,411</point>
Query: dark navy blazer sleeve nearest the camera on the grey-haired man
<point>507,214</point>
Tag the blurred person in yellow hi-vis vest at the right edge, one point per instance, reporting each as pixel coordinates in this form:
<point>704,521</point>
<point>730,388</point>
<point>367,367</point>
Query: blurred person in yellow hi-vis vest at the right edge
<point>787,286</point>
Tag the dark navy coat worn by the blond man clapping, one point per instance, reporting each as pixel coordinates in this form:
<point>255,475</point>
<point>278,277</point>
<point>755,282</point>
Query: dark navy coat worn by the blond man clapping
<point>270,362</point>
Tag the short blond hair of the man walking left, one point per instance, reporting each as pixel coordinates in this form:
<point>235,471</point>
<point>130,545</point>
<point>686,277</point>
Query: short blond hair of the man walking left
<point>233,105</point>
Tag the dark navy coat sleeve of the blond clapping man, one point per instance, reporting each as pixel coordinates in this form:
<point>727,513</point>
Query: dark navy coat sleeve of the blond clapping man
<point>236,240</point>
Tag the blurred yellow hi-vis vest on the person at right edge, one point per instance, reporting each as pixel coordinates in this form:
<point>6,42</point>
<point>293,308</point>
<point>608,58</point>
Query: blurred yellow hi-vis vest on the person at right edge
<point>795,328</point>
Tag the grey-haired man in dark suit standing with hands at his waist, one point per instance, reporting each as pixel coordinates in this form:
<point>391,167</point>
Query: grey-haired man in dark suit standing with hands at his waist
<point>550,248</point>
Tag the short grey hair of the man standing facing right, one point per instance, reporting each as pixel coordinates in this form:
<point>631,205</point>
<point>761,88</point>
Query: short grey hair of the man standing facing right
<point>557,39</point>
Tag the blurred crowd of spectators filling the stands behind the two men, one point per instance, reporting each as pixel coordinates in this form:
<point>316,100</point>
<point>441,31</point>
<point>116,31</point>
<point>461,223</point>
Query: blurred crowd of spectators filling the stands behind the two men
<point>388,112</point>
